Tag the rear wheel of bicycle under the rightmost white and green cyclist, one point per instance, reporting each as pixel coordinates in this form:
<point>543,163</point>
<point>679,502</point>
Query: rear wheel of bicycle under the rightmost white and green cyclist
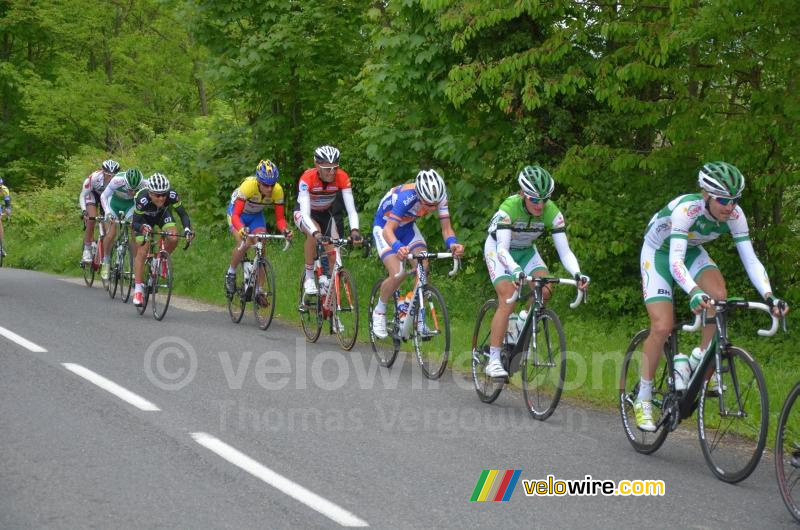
<point>643,441</point>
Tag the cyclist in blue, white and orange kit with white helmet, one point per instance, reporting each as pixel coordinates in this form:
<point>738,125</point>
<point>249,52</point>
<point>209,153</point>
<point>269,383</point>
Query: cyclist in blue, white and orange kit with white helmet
<point>396,234</point>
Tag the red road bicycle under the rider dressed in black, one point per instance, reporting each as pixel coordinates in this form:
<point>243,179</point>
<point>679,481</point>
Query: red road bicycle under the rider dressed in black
<point>158,268</point>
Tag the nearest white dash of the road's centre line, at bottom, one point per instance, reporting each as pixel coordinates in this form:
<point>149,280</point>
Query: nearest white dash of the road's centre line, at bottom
<point>290,488</point>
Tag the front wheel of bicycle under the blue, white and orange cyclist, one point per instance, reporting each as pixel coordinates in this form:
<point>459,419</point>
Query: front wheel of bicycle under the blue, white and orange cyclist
<point>431,333</point>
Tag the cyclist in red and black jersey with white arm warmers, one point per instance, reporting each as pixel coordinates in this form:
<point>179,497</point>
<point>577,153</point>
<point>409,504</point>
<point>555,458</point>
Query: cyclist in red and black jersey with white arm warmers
<point>315,213</point>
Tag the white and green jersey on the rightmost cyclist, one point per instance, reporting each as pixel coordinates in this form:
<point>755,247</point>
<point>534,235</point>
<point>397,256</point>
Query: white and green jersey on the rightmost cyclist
<point>686,217</point>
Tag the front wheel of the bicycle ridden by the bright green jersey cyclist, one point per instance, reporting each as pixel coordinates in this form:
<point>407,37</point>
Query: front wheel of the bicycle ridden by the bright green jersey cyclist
<point>544,365</point>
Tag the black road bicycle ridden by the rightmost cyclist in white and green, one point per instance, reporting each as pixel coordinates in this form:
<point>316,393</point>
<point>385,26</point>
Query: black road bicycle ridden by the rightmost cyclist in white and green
<point>732,416</point>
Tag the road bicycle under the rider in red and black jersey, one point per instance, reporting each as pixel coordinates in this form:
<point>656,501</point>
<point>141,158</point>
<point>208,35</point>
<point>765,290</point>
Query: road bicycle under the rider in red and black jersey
<point>337,298</point>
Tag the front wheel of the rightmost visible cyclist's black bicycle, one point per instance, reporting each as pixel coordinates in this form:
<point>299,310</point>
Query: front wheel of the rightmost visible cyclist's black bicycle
<point>732,424</point>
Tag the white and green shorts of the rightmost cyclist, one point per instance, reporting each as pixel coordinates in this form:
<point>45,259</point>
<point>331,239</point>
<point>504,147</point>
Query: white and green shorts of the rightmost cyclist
<point>657,281</point>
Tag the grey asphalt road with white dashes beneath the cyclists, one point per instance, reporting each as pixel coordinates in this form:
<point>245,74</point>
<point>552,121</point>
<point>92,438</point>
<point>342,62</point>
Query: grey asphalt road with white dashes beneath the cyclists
<point>194,422</point>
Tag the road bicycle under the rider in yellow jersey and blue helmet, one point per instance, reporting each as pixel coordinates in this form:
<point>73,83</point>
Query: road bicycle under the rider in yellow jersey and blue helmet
<point>255,282</point>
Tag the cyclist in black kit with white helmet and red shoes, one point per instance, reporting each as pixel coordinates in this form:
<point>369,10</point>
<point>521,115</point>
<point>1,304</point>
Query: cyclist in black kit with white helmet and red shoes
<point>153,208</point>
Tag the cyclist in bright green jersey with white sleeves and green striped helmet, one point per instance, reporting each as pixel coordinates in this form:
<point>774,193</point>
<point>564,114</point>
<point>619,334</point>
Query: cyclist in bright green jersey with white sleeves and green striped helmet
<point>510,250</point>
